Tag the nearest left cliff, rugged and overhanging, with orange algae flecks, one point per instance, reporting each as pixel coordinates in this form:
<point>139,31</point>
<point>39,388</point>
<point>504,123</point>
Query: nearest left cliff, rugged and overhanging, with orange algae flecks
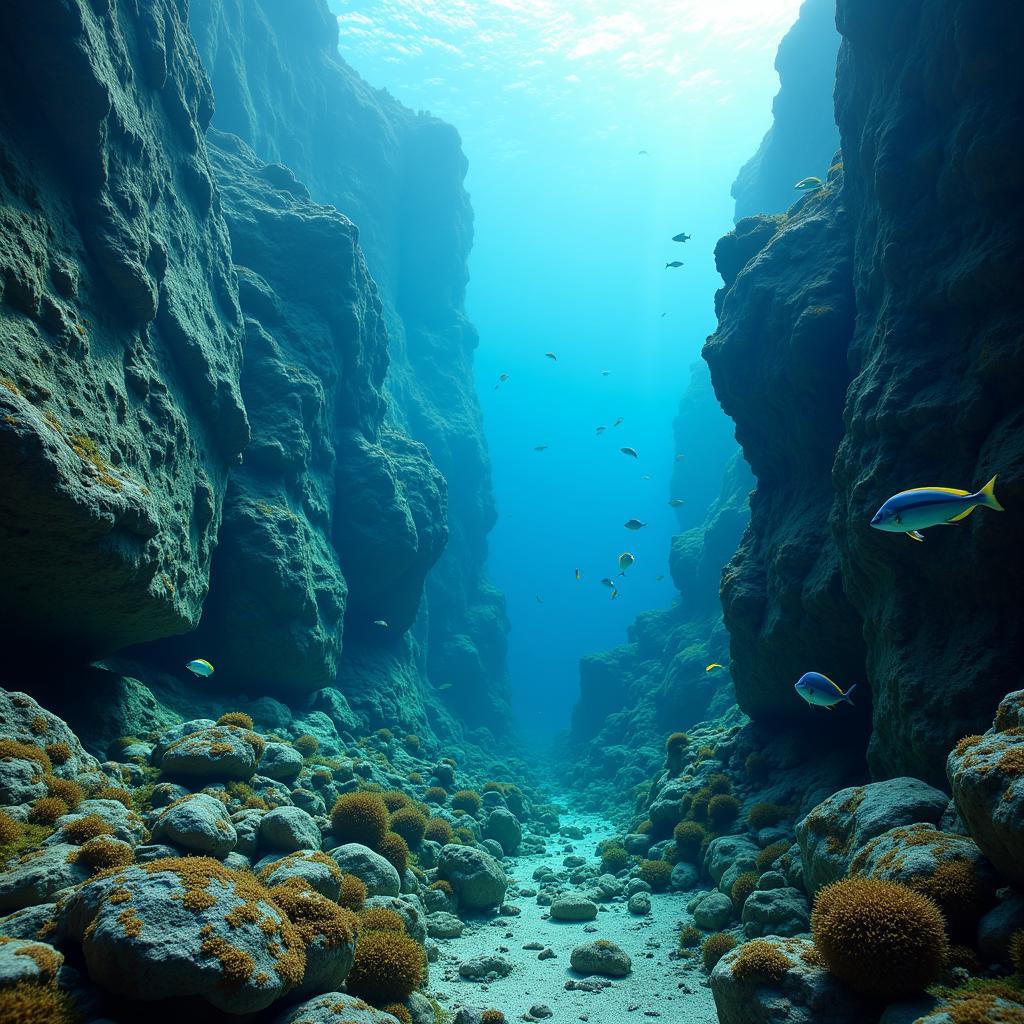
<point>120,330</point>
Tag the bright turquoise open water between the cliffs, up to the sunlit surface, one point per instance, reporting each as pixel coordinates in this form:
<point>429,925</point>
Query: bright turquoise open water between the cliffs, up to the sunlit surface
<point>554,103</point>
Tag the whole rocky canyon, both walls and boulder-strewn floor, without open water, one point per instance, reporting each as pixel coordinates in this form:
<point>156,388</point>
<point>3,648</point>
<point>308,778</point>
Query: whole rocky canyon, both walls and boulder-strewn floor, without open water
<point>241,433</point>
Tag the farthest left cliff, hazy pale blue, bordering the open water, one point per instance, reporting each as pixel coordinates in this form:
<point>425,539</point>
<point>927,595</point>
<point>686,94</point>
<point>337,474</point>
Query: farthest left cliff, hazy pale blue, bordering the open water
<point>282,88</point>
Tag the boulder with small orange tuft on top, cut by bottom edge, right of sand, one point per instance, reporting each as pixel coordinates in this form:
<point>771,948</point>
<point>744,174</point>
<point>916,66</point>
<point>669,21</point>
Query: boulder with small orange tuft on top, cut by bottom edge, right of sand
<point>778,980</point>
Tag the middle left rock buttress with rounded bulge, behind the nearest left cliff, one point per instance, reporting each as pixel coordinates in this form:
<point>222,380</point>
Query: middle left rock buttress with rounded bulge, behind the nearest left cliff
<point>333,522</point>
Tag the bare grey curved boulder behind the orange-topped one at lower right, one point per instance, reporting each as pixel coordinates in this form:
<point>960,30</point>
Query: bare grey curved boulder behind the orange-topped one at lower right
<point>834,833</point>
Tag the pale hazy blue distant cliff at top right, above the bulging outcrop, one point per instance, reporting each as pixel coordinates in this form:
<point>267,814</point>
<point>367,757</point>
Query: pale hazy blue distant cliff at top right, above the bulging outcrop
<point>803,136</point>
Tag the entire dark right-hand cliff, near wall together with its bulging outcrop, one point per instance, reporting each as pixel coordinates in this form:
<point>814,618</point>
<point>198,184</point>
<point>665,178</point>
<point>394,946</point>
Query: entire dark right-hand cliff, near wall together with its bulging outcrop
<point>868,345</point>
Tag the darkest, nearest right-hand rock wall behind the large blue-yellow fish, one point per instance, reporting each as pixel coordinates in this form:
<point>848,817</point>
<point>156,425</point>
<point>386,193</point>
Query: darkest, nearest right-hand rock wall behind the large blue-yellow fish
<point>931,110</point>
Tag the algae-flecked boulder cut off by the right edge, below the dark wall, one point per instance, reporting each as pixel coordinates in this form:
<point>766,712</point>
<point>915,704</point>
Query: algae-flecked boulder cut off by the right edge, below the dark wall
<point>987,775</point>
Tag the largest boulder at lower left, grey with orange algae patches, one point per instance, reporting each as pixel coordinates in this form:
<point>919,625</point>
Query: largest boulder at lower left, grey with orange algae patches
<point>187,927</point>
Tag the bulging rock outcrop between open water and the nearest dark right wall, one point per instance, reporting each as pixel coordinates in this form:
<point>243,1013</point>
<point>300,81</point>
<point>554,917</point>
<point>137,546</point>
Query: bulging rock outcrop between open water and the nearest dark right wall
<point>779,357</point>
